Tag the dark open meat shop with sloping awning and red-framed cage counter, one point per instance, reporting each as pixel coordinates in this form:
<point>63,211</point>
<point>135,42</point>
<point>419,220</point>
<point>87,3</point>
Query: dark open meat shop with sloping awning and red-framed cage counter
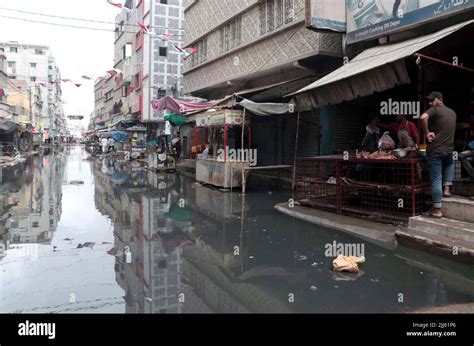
<point>388,181</point>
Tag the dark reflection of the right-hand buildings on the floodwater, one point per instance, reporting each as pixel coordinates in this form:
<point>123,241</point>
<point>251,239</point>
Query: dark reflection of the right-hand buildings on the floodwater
<point>196,249</point>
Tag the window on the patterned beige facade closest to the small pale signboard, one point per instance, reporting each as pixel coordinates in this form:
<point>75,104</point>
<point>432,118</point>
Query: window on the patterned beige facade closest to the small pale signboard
<point>274,14</point>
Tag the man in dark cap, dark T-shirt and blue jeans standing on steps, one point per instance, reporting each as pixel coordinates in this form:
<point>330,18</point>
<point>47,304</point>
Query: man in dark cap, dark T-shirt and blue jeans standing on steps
<point>439,126</point>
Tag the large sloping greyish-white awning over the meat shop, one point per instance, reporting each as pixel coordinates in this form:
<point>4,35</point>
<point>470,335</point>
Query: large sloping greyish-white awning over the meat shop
<point>374,70</point>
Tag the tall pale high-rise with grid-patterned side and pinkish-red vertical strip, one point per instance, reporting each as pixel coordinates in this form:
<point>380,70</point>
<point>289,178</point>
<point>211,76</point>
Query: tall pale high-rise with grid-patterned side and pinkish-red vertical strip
<point>151,67</point>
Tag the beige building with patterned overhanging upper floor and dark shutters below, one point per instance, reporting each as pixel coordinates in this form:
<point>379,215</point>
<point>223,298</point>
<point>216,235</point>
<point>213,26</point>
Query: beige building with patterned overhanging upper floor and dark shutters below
<point>262,50</point>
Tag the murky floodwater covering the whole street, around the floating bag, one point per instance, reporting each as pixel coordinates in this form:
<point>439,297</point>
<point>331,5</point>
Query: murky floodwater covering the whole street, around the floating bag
<point>85,235</point>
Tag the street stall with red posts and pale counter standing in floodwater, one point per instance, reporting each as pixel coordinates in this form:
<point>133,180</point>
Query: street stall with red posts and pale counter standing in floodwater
<point>221,163</point>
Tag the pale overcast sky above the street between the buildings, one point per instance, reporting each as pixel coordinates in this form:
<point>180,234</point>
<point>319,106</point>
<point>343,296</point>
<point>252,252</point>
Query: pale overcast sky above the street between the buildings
<point>77,51</point>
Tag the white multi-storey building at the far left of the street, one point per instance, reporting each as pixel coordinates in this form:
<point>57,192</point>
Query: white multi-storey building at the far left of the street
<point>36,65</point>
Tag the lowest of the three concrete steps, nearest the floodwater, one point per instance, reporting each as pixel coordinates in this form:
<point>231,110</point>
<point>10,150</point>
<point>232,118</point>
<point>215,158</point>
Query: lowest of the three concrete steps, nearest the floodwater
<point>449,248</point>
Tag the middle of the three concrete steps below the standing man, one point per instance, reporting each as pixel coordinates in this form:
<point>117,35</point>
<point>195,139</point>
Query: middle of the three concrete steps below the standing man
<point>454,229</point>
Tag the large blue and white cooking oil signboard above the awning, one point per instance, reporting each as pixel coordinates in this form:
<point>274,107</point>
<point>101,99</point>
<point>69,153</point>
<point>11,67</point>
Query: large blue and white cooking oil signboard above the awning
<point>369,19</point>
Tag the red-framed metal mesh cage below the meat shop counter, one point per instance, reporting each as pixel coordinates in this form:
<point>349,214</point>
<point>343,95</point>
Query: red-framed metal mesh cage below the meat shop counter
<point>386,189</point>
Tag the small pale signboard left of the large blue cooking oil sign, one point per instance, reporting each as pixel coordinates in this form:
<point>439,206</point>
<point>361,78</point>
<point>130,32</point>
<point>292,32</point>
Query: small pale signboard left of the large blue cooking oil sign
<point>326,14</point>
